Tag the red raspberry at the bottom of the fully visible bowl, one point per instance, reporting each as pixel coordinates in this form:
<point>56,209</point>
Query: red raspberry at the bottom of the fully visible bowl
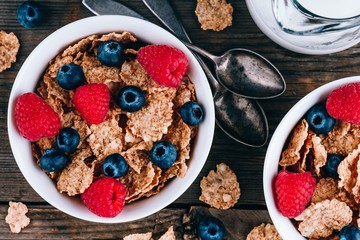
<point>105,197</point>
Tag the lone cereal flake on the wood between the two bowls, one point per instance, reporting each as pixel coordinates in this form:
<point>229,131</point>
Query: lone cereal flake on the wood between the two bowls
<point>220,189</point>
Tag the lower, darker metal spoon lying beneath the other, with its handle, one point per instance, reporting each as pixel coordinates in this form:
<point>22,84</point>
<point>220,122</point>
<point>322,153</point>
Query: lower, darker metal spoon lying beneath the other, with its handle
<point>240,118</point>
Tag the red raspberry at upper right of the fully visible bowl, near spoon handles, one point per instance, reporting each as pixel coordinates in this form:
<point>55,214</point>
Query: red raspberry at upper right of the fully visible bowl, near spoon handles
<point>166,65</point>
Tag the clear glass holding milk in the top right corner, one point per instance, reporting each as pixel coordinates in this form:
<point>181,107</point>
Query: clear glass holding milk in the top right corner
<point>314,17</point>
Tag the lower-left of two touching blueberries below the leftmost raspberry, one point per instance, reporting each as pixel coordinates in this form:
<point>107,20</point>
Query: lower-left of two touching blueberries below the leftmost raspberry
<point>53,160</point>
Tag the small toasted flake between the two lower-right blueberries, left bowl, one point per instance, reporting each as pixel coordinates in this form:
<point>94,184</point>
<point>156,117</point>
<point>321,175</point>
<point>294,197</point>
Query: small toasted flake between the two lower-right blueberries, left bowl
<point>137,156</point>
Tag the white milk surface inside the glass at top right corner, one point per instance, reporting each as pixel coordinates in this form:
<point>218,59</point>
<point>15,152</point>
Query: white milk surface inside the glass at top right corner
<point>332,8</point>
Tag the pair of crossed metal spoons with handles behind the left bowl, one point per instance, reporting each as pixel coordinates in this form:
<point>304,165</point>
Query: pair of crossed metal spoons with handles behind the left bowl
<point>242,77</point>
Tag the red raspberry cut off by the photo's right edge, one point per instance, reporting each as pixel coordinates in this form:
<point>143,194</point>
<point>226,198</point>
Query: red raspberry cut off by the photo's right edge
<point>344,103</point>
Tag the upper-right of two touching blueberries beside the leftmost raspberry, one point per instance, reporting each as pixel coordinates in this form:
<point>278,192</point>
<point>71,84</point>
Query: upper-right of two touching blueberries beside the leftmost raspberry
<point>67,140</point>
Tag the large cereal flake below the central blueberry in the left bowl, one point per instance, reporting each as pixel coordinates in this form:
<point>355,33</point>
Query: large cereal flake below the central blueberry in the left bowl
<point>149,126</point>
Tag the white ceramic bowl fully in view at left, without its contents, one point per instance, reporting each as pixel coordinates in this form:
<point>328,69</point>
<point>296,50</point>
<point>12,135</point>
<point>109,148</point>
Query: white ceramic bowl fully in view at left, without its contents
<point>32,71</point>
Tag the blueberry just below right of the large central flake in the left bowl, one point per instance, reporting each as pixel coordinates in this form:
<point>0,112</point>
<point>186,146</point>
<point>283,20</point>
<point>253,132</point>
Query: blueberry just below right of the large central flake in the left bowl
<point>163,154</point>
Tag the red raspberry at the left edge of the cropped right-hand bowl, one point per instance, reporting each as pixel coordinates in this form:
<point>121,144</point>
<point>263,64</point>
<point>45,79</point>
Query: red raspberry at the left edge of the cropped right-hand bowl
<point>293,192</point>
